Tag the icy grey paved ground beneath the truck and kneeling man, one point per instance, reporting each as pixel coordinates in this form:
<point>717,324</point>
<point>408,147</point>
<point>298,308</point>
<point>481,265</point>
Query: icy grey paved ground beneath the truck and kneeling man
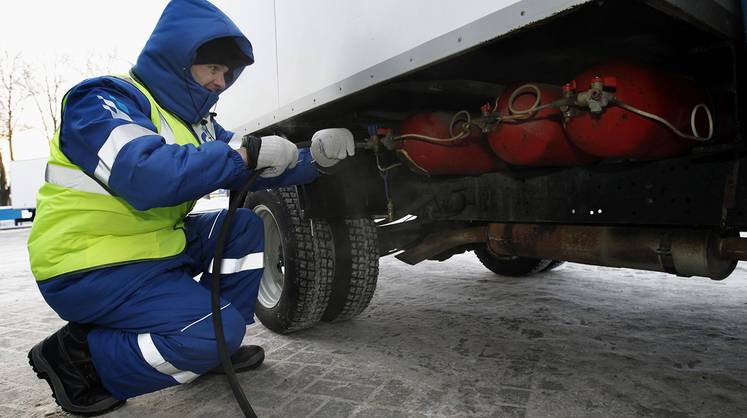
<point>452,339</point>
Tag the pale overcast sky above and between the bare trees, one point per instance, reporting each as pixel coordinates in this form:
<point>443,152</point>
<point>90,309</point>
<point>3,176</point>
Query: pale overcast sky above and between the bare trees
<point>43,29</point>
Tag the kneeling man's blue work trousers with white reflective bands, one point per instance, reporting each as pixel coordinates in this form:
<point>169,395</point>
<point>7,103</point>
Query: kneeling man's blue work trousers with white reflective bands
<point>154,326</point>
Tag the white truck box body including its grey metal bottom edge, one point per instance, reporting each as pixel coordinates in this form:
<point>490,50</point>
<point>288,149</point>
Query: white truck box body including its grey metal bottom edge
<point>311,53</point>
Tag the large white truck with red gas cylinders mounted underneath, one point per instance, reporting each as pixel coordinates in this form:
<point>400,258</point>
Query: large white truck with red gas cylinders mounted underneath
<point>532,132</point>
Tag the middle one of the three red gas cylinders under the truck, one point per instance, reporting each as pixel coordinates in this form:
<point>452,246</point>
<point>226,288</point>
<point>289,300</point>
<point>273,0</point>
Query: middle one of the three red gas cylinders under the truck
<point>538,140</point>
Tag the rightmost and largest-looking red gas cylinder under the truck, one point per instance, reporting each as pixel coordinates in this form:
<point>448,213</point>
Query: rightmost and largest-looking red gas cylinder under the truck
<point>618,132</point>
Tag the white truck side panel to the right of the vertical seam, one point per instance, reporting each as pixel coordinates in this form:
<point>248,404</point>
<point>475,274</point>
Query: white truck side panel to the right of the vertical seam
<point>321,42</point>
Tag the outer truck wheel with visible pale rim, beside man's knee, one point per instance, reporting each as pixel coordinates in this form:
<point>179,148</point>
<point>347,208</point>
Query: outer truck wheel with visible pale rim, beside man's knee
<point>297,279</point>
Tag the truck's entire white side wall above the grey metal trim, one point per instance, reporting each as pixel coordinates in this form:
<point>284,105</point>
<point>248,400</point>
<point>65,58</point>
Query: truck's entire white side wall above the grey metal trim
<point>321,42</point>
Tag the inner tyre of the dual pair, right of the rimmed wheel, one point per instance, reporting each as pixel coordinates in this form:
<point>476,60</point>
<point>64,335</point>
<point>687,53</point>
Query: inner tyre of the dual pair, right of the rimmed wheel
<point>356,267</point>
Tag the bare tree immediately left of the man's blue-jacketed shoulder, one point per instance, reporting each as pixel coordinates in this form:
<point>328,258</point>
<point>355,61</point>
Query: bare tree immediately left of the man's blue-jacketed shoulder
<point>45,85</point>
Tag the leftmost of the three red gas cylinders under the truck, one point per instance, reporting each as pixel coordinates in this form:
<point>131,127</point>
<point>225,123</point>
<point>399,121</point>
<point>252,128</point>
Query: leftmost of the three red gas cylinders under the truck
<point>466,156</point>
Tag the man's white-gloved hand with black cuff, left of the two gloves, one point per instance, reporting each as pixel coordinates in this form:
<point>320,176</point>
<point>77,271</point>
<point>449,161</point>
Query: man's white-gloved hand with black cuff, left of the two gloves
<point>272,153</point>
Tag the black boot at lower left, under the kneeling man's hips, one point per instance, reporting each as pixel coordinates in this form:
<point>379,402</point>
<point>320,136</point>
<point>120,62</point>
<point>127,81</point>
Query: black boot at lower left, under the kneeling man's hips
<point>64,361</point>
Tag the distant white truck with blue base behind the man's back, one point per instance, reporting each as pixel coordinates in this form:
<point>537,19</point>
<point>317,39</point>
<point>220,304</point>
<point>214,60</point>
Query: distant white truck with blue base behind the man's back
<point>26,177</point>
